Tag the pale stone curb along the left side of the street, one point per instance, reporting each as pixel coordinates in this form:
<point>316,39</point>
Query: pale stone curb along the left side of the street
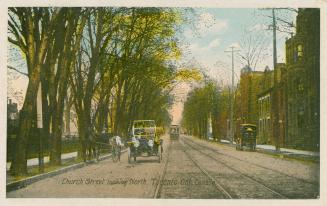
<point>30,180</point>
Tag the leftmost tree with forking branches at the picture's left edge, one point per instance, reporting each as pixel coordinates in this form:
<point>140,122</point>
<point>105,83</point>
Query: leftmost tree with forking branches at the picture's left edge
<point>26,34</point>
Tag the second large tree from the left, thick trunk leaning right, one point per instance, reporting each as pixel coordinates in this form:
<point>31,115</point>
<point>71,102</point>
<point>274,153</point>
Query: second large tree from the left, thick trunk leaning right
<point>66,46</point>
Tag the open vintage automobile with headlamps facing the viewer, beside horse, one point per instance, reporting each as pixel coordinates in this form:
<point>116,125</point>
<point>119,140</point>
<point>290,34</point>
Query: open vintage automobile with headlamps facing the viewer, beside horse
<point>144,142</point>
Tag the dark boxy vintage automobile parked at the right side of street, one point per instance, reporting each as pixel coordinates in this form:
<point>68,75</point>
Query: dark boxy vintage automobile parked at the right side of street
<point>246,137</point>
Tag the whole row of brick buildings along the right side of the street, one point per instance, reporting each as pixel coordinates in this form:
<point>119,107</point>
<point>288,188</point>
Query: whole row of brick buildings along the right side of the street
<point>297,90</point>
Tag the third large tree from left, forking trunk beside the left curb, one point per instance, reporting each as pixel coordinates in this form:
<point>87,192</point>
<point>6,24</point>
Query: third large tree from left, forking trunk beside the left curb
<point>85,75</point>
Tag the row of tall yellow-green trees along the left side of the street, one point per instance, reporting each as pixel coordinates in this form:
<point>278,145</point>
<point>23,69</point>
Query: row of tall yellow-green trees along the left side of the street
<point>110,65</point>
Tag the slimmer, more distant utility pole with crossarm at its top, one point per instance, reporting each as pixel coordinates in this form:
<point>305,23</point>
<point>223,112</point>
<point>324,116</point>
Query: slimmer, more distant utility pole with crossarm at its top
<point>231,115</point>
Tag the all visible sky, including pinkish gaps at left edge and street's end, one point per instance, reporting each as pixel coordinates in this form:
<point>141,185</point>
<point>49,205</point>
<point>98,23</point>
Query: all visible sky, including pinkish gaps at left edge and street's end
<point>210,32</point>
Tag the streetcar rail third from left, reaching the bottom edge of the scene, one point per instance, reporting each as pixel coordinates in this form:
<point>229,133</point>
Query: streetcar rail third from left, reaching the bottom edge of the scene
<point>239,172</point>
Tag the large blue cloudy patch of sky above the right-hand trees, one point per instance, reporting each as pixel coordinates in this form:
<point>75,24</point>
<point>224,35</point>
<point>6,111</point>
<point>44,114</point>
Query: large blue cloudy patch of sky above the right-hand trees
<point>221,28</point>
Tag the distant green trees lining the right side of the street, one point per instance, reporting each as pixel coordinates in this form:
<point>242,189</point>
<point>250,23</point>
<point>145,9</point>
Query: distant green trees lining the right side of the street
<point>208,105</point>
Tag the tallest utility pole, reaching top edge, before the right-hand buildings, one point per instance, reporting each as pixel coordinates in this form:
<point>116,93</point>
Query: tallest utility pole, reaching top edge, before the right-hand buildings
<point>275,96</point>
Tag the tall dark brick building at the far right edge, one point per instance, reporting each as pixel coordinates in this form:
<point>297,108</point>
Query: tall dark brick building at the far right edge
<point>302,60</point>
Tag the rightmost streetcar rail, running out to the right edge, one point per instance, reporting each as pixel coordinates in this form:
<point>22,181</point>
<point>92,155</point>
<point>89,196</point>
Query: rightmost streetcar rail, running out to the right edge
<point>260,166</point>
